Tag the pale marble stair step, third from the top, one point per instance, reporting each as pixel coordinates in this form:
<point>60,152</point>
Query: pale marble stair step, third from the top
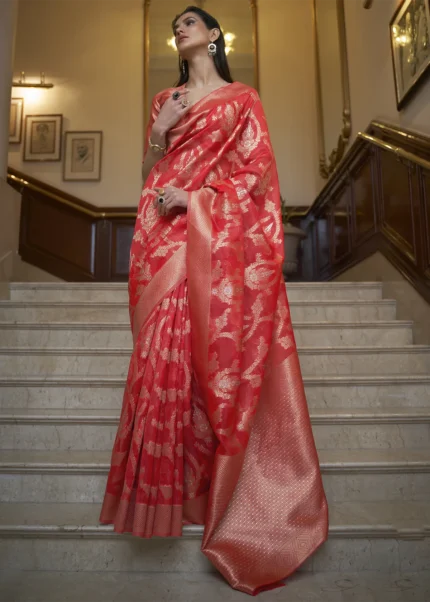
<point>318,334</point>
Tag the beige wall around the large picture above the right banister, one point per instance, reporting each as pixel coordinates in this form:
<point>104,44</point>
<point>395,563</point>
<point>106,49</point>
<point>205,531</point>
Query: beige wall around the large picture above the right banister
<point>371,71</point>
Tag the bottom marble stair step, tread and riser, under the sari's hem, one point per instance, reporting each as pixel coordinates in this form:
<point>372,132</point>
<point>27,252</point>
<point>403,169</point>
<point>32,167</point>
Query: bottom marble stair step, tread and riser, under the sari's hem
<point>65,537</point>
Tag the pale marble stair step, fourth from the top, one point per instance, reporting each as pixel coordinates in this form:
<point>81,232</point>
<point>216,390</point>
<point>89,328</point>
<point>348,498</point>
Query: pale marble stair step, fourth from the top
<point>406,359</point>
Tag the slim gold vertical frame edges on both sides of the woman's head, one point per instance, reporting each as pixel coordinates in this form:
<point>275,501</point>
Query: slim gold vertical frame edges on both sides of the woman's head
<point>146,45</point>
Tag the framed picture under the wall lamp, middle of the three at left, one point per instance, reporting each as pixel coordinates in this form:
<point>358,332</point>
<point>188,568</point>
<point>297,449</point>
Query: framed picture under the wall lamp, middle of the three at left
<point>42,139</point>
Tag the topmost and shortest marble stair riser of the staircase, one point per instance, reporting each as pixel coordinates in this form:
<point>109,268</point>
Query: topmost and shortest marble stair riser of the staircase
<point>329,292</point>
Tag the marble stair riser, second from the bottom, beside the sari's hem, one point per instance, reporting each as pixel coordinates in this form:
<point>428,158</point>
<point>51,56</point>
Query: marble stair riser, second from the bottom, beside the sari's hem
<point>344,487</point>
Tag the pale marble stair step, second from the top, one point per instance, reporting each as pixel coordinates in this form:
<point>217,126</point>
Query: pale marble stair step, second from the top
<point>87,311</point>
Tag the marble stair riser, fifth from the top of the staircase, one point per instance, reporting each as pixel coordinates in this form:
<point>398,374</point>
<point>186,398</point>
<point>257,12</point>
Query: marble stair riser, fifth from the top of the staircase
<point>318,397</point>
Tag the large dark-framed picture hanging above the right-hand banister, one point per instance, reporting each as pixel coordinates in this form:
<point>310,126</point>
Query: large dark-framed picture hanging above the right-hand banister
<point>410,45</point>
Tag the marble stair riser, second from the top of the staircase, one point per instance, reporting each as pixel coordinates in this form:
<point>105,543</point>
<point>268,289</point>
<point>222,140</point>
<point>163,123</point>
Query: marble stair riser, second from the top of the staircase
<point>314,313</point>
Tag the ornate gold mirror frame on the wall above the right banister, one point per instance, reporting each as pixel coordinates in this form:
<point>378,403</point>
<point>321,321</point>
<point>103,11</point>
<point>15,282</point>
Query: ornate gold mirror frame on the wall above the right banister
<point>327,165</point>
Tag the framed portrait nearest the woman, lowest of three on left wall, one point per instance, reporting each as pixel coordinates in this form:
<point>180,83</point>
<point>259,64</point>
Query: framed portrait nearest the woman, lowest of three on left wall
<point>83,156</point>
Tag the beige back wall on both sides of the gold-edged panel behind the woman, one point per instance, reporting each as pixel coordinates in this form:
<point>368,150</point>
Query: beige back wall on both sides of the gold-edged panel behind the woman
<point>92,51</point>
